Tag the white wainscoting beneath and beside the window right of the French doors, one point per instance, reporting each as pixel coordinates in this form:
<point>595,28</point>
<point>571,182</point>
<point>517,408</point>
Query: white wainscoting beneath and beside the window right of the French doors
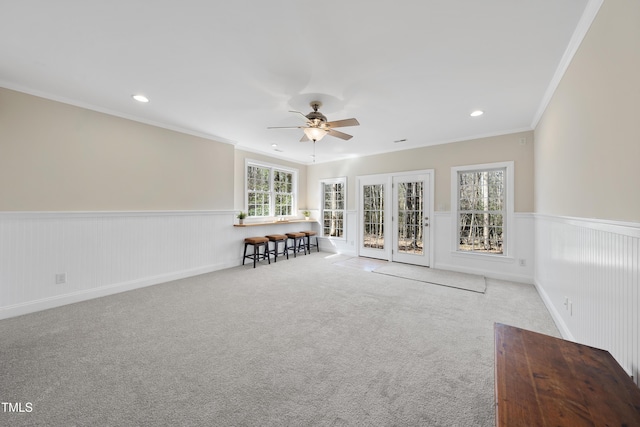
<point>518,266</point>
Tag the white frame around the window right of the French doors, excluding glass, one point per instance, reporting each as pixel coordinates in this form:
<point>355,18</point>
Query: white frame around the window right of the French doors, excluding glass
<point>507,227</point>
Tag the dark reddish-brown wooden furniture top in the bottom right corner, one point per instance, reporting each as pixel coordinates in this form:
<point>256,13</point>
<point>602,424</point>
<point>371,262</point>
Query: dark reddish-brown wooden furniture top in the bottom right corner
<point>547,381</point>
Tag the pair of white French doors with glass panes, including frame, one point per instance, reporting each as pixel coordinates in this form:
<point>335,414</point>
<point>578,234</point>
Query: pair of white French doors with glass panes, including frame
<point>394,213</point>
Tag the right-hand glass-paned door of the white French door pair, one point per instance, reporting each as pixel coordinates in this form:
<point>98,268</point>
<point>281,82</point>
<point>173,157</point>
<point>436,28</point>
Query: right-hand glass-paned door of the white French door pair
<point>410,219</point>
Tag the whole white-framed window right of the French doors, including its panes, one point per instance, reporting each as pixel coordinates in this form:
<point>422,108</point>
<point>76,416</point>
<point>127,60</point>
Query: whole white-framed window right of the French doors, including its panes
<point>483,204</point>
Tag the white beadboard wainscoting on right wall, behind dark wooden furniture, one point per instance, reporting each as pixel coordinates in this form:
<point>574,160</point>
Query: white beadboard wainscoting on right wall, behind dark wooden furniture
<point>588,274</point>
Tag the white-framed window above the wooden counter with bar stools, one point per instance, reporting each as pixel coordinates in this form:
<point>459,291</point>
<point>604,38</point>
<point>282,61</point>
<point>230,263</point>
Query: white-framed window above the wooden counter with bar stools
<point>270,190</point>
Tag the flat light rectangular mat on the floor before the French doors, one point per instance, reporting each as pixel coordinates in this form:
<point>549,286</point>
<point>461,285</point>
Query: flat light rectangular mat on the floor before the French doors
<point>467,282</point>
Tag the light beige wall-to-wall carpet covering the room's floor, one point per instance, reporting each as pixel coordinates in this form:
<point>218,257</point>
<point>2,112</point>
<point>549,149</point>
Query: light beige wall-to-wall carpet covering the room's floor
<point>304,342</point>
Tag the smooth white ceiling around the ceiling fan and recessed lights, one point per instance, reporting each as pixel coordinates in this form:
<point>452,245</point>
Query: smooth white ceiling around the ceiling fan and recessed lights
<point>227,70</point>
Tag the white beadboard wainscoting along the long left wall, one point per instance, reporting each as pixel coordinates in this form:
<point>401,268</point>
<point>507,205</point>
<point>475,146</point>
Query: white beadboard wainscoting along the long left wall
<point>103,253</point>
